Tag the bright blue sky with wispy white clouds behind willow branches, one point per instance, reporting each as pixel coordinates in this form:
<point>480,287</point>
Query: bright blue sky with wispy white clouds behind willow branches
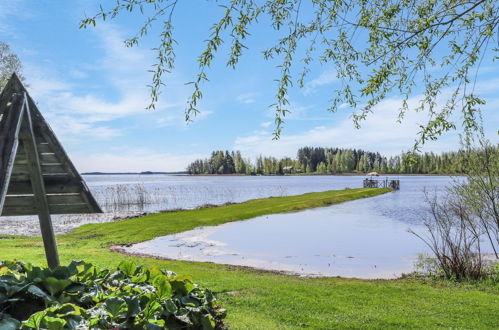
<point>92,91</point>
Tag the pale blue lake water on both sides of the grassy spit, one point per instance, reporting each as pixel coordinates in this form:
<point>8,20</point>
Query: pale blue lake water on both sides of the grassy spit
<point>365,238</point>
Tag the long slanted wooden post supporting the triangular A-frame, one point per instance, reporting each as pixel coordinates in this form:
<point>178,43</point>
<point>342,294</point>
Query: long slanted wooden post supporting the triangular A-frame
<point>38,186</point>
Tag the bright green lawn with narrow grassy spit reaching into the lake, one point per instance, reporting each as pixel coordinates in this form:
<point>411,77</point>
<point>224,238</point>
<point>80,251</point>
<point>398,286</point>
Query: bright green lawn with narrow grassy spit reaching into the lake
<point>264,300</point>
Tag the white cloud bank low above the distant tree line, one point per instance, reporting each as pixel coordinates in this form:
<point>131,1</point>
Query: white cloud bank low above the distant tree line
<point>380,132</point>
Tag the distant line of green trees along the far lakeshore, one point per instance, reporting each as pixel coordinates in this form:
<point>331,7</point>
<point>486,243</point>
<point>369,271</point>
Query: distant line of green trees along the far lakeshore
<point>319,160</point>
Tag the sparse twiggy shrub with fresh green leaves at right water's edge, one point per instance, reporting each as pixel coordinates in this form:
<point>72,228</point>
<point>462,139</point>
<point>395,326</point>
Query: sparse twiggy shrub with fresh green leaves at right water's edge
<point>468,216</point>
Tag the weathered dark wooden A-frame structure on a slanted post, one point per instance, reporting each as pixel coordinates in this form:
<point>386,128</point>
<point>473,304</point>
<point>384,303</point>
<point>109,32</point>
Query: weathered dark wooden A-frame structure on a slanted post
<point>36,175</point>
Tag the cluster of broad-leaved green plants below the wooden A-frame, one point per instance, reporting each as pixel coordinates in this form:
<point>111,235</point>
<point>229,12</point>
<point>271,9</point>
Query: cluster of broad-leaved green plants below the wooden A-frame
<point>82,296</point>
